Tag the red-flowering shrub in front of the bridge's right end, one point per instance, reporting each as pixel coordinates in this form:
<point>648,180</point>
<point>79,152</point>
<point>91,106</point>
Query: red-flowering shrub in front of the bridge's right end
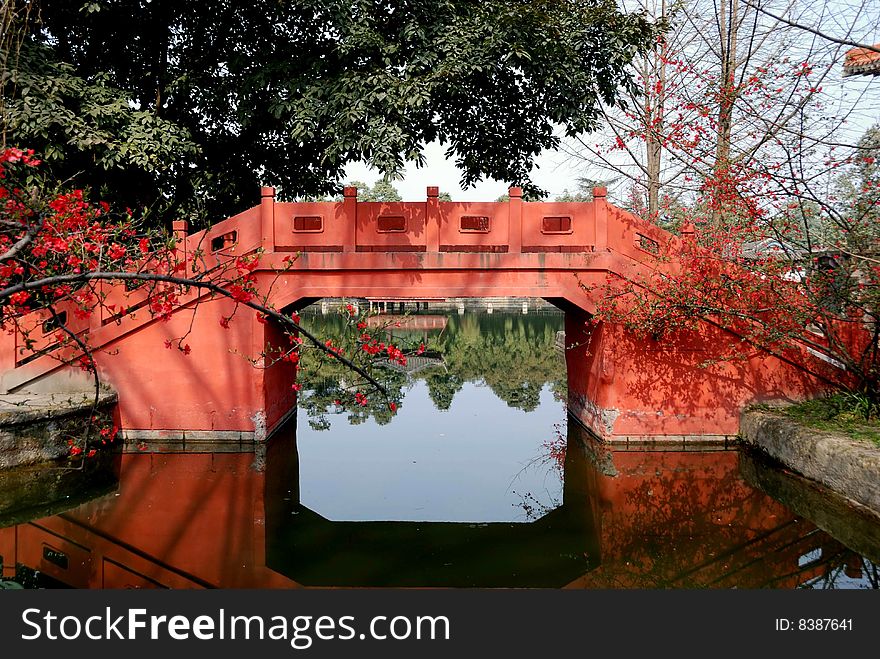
<point>786,300</point>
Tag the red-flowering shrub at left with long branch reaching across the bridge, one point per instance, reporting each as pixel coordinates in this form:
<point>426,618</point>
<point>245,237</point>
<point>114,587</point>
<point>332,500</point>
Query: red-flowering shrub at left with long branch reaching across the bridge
<point>62,255</point>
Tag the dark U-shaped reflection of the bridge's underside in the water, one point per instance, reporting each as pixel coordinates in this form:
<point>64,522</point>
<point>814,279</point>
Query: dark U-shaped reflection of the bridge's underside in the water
<point>315,551</point>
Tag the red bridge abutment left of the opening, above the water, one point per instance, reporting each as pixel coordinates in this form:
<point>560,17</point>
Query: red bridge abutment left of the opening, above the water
<point>190,384</point>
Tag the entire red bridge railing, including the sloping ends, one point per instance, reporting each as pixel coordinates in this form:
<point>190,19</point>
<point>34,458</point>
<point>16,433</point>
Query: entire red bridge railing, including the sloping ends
<point>509,227</point>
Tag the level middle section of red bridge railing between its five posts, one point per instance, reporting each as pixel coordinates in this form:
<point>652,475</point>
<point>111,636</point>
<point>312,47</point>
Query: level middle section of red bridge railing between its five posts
<point>435,226</point>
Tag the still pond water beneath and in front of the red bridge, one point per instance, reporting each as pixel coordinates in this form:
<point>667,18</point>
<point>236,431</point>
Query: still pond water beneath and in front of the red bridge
<point>479,480</point>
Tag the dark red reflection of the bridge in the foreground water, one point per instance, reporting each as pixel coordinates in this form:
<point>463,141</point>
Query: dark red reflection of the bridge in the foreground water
<point>628,518</point>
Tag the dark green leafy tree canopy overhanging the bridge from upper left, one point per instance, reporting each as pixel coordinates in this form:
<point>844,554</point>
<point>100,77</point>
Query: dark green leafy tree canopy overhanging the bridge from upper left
<point>287,94</point>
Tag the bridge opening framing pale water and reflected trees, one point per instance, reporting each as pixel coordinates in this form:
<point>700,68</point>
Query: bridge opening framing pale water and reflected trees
<point>475,413</point>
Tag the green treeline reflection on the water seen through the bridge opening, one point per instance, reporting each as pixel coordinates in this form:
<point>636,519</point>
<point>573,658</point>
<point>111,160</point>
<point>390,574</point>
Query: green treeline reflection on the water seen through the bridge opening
<point>513,354</point>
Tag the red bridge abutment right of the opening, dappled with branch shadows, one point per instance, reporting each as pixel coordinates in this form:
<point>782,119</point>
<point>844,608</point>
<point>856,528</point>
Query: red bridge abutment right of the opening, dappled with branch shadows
<point>690,387</point>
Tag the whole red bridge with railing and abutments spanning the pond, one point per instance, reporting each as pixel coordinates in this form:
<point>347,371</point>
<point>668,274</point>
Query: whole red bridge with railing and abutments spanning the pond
<point>621,386</point>
